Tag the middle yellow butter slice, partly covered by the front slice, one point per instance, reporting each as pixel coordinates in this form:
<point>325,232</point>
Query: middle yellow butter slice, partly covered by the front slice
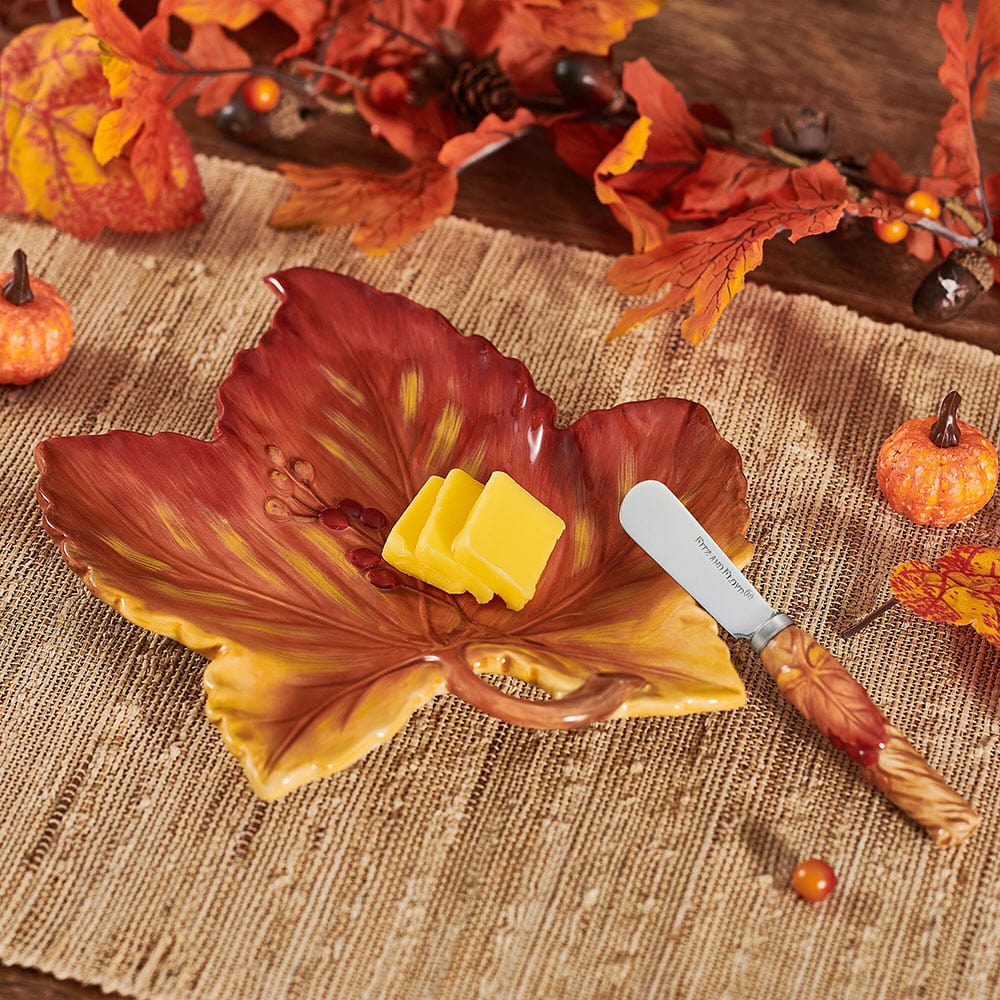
<point>454,500</point>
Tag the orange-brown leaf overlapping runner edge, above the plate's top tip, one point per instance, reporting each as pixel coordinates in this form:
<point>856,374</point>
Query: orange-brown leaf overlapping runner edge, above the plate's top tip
<point>390,208</point>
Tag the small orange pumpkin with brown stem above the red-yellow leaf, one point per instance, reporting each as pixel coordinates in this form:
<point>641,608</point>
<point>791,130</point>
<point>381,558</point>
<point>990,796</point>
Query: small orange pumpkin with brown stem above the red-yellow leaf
<point>938,470</point>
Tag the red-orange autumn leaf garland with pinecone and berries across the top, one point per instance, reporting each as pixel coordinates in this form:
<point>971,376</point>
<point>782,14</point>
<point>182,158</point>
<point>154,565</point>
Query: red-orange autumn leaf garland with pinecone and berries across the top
<point>468,76</point>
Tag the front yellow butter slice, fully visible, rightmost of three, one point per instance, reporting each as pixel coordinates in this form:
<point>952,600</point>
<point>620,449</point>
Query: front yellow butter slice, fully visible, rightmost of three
<point>507,539</point>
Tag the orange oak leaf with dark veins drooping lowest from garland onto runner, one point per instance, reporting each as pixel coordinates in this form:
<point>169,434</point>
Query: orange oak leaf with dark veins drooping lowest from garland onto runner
<point>709,266</point>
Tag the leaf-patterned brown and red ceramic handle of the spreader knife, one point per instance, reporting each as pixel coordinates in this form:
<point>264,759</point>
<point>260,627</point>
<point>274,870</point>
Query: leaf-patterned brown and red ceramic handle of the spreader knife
<point>816,683</point>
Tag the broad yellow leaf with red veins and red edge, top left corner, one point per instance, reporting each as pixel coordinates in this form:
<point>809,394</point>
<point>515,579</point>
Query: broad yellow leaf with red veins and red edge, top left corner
<point>52,96</point>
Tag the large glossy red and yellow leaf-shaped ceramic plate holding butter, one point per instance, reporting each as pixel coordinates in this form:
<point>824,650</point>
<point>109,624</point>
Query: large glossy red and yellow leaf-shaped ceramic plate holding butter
<point>236,546</point>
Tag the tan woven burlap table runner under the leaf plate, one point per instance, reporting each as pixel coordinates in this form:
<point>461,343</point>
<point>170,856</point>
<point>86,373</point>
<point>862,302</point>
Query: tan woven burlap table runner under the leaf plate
<point>466,858</point>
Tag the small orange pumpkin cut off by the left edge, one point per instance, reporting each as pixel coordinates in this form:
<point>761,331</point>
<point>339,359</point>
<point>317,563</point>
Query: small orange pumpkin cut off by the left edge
<point>36,328</point>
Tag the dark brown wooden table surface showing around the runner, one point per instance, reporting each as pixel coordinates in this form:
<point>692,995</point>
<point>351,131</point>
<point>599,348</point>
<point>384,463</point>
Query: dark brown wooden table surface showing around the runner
<point>873,66</point>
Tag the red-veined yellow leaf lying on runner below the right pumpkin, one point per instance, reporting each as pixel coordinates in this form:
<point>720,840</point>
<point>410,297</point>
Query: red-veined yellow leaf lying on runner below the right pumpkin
<point>963,588</point>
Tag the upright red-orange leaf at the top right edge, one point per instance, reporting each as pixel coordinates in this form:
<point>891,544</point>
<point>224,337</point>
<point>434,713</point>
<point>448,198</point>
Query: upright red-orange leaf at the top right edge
<point>970,64</point>
